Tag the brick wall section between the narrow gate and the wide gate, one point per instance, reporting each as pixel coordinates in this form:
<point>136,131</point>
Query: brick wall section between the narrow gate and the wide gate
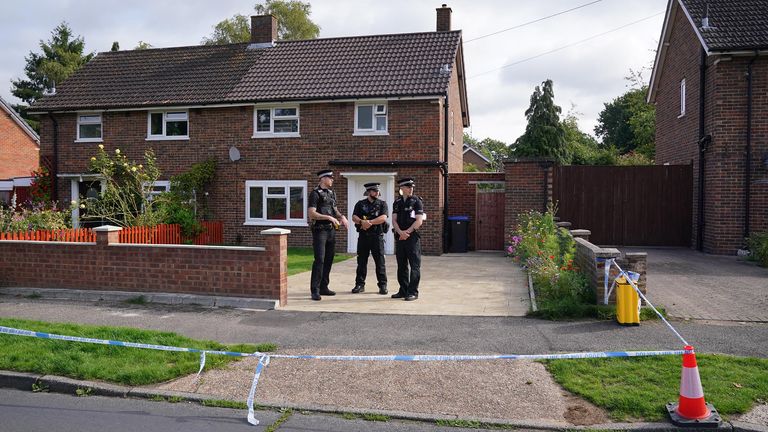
<point>528,187</point>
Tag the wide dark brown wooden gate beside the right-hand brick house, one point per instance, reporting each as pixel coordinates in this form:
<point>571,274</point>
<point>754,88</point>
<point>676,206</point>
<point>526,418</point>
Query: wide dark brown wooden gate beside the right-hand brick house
<point>627,205</point>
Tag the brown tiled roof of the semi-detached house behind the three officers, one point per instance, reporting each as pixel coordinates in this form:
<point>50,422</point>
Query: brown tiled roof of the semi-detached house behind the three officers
<point>407,64</point>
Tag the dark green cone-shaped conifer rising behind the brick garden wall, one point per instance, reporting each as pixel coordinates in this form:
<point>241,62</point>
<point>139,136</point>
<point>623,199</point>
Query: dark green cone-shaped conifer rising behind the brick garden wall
<point>544,135</point>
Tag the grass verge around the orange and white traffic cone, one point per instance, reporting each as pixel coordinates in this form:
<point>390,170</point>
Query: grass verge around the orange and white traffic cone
<point>639,388</point>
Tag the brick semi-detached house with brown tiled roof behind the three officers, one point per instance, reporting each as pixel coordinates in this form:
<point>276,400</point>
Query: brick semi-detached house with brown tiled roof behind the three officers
<point>373,108</point>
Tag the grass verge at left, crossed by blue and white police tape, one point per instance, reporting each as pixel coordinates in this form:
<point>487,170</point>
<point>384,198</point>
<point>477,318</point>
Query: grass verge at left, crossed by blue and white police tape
<point>122,365</point>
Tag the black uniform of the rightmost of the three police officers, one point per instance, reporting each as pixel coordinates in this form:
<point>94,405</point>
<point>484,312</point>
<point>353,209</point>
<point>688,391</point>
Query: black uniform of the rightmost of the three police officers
<point>408,252</point>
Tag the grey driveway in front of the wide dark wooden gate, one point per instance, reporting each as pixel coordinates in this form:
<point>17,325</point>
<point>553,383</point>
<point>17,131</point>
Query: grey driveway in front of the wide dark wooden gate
<point>694,285</point>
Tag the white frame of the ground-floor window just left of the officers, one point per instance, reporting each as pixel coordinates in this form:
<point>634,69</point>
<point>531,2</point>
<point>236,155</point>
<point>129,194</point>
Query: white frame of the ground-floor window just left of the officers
<point>265,185</point>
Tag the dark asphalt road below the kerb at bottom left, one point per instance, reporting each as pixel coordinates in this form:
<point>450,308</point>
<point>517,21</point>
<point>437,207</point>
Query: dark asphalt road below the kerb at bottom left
<point>22,411</point>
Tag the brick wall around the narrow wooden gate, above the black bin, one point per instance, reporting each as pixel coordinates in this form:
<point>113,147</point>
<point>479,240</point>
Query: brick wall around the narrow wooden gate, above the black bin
<point>463,202</point>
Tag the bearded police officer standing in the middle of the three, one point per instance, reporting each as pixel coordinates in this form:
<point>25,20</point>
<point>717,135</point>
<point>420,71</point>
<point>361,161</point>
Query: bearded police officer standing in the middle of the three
<point>370,219</point>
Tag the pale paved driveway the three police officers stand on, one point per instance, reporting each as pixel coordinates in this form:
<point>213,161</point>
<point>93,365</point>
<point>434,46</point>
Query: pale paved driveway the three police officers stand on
<point>471,284</point>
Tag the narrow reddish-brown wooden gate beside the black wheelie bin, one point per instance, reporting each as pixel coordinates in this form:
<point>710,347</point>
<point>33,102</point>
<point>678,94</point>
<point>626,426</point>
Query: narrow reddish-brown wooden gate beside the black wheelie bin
<point>490,219</point>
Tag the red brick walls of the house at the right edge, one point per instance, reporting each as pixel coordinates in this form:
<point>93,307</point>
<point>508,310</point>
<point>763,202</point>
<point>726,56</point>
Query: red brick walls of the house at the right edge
<point>725,120</point>
